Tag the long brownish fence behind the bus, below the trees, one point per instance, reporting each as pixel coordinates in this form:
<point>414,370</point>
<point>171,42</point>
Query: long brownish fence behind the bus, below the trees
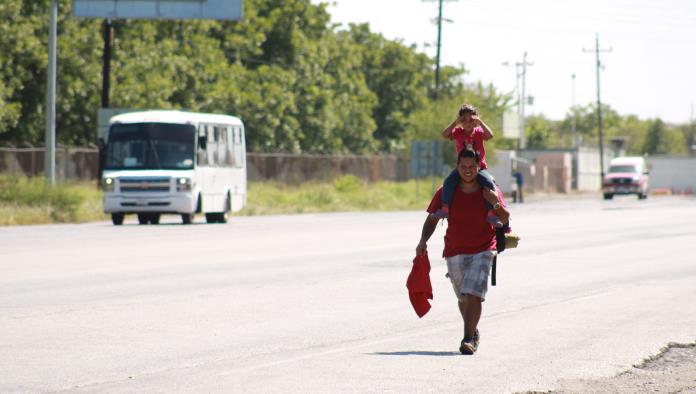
<point>83,164</point>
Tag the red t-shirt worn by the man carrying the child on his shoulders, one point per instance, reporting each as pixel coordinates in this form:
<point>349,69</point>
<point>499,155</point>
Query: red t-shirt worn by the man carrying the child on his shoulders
<point>468,232</point>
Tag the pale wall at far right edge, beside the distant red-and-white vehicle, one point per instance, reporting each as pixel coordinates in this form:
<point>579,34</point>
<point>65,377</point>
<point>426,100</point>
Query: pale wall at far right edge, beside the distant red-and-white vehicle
<point>675,173</point>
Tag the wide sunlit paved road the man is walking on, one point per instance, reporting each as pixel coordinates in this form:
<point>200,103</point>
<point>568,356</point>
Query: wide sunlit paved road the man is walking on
<point>317,303</point>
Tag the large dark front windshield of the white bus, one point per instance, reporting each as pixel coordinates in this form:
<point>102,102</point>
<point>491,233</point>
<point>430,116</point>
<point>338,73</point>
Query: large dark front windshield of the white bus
<point>150,146</point>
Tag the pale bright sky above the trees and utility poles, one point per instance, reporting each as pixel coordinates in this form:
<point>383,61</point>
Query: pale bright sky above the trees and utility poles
<point>650,70</point>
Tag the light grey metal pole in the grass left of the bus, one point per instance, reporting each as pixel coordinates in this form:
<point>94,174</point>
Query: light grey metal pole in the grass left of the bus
<point>50,140</point>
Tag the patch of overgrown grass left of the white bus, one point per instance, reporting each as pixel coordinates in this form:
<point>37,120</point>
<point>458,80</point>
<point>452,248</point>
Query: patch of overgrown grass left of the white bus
<point>31,201</point>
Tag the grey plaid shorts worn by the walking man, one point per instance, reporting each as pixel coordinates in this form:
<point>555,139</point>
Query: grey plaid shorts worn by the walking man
<point>469,273</point>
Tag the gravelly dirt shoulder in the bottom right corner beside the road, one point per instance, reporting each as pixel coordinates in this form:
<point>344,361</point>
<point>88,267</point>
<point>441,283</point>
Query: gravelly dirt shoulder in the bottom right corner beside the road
<point>672,370</point>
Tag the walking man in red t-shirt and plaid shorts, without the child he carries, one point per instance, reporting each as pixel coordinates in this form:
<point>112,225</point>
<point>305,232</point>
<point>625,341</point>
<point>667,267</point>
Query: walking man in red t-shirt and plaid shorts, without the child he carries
<point>469,243</point>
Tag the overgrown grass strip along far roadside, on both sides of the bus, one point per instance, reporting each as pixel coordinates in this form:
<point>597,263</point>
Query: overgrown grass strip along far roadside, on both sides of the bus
<point>30,201</point>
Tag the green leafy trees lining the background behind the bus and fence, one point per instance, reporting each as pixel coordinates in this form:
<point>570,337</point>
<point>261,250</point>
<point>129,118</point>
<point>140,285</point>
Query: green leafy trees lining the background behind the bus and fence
<point>300,82</point>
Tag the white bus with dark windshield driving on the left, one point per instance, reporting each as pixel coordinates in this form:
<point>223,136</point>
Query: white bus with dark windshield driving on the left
<point>173,162</point>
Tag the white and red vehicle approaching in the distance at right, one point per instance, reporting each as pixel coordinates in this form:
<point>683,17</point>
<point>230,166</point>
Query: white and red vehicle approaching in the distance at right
<point>626,175</point>
